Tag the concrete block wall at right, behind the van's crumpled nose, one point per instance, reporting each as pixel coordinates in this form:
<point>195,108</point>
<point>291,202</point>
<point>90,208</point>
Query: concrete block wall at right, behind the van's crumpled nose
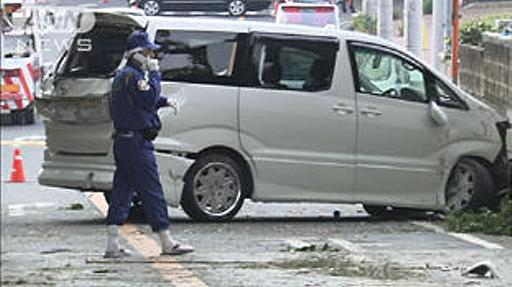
<point>487,72</point>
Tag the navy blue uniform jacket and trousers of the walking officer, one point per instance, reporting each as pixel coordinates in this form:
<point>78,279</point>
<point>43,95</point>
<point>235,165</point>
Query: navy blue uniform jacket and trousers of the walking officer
<point>135,101</point>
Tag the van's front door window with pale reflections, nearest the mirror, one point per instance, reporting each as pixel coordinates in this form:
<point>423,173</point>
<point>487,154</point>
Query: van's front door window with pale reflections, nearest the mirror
<point>384,74</point>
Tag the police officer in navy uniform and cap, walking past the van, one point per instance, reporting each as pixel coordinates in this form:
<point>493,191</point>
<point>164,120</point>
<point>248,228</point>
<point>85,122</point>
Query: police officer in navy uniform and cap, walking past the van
<point>135,101</point>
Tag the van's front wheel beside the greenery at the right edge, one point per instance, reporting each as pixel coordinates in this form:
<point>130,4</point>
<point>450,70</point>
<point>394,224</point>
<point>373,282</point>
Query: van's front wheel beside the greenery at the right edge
<point>479,193</point>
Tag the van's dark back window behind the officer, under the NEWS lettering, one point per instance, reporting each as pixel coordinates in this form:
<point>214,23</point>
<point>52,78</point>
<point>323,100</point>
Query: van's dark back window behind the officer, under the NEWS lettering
<point>97,53</point>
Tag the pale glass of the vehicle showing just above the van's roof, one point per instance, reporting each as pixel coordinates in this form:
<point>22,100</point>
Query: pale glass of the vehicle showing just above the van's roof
<point>319,16</point>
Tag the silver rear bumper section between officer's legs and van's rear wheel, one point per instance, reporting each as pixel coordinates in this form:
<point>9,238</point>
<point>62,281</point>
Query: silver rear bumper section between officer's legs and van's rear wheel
<point>172,170</point>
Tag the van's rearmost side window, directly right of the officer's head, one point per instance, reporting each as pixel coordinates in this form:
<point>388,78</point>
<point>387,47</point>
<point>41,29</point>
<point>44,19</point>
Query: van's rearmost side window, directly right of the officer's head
<point>197,57</point>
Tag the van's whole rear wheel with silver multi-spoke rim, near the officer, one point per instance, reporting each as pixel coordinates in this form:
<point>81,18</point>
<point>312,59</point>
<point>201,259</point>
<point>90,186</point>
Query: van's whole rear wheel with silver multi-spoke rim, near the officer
<point>215,188</point>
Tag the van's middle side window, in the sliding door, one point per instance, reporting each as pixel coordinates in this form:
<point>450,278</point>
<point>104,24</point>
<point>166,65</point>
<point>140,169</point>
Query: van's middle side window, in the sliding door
<point>303,65</point>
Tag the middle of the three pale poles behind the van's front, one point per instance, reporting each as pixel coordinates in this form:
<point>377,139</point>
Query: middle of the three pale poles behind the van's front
<point>413,22</point>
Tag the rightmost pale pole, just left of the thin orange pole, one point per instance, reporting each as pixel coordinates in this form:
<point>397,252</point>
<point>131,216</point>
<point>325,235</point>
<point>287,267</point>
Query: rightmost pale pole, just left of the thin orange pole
<point>438,33</point>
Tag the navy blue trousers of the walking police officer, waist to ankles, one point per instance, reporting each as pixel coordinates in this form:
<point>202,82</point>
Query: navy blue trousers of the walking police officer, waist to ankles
<point>136,171</point>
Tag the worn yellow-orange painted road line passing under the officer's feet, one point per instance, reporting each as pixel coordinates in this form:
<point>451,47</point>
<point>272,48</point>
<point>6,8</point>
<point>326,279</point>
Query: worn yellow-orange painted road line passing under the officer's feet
<point>168,267</point>
